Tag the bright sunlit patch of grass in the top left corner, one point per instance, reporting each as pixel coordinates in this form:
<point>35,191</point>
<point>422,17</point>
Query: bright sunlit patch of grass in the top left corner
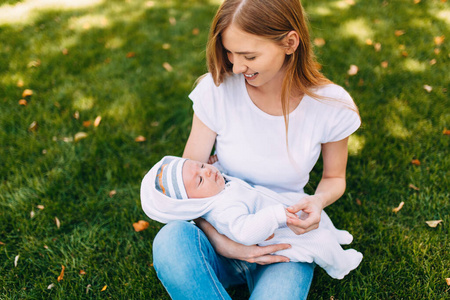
<point>25,12</point>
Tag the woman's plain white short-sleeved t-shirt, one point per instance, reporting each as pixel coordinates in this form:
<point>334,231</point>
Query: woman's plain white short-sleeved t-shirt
<point>251,144</point>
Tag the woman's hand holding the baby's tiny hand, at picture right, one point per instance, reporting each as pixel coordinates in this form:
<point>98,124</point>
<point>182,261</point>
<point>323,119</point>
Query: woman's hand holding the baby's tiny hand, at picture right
<point>311,207</point>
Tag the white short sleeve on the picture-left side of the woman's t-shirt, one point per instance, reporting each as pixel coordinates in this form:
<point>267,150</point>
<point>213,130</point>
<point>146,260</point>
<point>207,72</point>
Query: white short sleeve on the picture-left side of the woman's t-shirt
<point>205,97</point>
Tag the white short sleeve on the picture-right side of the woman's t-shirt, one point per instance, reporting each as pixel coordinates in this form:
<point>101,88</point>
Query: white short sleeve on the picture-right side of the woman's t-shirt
<point>343,119</point>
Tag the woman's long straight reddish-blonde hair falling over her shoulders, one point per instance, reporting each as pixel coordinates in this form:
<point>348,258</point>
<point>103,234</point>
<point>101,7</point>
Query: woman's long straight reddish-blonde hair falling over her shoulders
<point>271,19</point>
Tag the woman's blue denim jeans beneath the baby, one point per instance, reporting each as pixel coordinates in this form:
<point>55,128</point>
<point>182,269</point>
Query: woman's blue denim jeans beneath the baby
<point>189,268</point>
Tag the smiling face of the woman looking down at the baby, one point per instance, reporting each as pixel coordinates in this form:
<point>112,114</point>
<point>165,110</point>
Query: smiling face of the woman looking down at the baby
<point>260,60</point>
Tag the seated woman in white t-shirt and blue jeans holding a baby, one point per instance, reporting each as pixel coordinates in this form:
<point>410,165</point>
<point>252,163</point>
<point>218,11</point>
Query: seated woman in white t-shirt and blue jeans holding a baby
<point>269,113</point>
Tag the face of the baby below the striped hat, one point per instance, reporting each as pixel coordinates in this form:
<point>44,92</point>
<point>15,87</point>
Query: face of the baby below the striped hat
<point>202,180</point>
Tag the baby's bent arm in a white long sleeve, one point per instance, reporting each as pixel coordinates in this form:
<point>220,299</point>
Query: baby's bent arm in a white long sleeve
<point>240,225</point>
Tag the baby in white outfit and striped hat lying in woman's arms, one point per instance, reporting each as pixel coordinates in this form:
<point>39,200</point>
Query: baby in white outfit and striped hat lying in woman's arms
<point>180,189</point>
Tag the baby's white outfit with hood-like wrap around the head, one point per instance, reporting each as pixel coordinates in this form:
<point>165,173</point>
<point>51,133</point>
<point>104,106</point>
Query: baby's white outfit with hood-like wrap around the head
<point>249,215</point>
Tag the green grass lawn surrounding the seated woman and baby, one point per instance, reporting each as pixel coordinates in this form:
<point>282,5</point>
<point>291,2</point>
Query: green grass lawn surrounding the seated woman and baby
<point>403,257</point>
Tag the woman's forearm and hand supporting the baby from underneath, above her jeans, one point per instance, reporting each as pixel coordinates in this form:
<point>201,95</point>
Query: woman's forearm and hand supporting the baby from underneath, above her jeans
<point>253,254</point>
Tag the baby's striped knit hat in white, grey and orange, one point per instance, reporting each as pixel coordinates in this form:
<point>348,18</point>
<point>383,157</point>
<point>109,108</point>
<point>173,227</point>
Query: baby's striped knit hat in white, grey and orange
<point>169,178</point>
